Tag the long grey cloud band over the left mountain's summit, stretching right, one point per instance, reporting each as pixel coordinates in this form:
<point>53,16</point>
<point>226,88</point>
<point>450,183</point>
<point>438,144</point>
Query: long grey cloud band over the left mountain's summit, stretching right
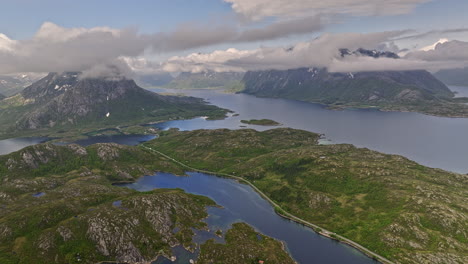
<point>55,48</point>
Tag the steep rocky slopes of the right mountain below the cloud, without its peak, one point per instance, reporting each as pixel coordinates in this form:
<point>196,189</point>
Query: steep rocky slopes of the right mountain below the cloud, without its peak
<point>374,88</point>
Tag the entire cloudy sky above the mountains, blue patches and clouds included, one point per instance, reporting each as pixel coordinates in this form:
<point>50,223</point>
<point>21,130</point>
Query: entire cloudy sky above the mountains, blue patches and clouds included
<point>151,36</point>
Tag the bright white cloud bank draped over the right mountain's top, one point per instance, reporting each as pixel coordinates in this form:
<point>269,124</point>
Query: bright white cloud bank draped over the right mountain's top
<point>323,52</point>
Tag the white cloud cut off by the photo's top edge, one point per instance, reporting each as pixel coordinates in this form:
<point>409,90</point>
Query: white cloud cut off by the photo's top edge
<point>259,9</point>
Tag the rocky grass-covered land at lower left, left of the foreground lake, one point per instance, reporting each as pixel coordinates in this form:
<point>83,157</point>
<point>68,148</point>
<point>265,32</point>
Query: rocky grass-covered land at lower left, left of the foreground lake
<point>82,217</point>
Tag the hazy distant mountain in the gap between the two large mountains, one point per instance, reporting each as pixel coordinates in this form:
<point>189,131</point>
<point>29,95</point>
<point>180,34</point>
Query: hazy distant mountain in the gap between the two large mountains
<point>207,79</point>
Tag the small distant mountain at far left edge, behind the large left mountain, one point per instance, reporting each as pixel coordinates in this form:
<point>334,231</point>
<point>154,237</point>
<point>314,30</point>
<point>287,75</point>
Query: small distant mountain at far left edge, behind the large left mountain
<point>12,84</point>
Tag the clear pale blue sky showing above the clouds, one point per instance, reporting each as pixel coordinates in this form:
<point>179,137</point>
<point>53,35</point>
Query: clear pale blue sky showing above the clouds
<point>20,19</point>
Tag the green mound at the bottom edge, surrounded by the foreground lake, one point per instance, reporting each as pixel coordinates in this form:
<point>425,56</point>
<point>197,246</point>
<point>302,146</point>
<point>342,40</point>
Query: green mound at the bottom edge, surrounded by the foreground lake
<point>244,245</point>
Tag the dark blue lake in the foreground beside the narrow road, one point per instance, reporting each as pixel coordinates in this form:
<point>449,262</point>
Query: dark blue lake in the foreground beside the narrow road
<point>242,203</point>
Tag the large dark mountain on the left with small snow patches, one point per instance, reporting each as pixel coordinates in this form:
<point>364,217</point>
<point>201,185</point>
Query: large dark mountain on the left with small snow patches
<point>63,101</point>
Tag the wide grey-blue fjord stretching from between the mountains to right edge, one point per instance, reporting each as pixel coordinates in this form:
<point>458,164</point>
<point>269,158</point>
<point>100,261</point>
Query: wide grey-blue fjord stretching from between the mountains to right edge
<point>432,141</point>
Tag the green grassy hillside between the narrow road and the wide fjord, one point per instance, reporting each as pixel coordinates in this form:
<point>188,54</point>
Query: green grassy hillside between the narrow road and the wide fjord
<point>399,209</point>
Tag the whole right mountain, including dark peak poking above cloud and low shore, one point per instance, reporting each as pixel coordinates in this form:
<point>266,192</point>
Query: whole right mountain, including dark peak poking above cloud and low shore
<point>415,90</point>
